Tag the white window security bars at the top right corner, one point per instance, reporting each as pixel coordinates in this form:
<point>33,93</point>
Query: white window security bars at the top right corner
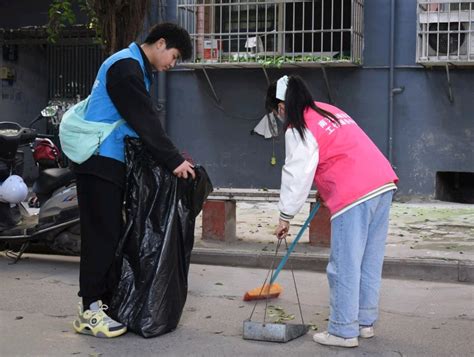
<point>445,32</point>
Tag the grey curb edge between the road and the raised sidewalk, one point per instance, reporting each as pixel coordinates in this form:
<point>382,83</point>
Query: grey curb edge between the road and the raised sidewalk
<point>402,268</point>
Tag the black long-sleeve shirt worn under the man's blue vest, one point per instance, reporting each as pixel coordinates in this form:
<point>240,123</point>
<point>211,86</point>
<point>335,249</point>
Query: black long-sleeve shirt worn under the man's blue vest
<point>127,90</point>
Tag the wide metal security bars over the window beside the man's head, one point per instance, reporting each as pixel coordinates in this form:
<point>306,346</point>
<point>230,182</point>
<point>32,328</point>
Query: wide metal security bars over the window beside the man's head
<point>256,33</point>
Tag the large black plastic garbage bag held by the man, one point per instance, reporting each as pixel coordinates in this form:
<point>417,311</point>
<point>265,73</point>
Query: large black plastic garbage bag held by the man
<point>154,254</point>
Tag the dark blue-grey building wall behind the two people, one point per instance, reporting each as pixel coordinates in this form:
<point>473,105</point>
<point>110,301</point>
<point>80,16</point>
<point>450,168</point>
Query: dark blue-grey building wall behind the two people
<point>430,133</point>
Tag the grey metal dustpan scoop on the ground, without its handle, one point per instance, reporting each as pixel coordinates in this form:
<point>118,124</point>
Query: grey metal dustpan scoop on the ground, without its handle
<point>273,332</point>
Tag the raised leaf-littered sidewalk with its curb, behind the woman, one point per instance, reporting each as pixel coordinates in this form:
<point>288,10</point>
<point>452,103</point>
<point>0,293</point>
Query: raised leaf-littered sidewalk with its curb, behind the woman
<point>429,240</point>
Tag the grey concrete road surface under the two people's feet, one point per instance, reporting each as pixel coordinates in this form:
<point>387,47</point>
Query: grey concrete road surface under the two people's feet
<point>418,318</point>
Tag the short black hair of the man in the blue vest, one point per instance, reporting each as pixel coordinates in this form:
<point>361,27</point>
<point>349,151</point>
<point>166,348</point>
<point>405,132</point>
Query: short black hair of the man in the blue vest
<point>175,37</point>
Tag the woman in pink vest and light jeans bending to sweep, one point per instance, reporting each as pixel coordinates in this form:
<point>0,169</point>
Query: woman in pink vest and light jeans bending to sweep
<point>355,181</point>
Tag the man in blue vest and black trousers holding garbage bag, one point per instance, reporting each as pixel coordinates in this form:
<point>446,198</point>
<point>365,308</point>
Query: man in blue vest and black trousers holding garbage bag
<point>120,91</point>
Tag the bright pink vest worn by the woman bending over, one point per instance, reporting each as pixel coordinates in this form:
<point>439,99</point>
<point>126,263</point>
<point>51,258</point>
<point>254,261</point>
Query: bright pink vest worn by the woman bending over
<point>350,165</point>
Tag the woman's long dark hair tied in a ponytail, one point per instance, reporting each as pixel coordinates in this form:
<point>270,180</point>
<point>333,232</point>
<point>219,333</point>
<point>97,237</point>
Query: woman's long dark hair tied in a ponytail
<point>297,99</point>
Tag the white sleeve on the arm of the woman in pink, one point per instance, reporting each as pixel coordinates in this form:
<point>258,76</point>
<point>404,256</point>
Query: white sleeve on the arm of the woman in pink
<point>297,175</point>
